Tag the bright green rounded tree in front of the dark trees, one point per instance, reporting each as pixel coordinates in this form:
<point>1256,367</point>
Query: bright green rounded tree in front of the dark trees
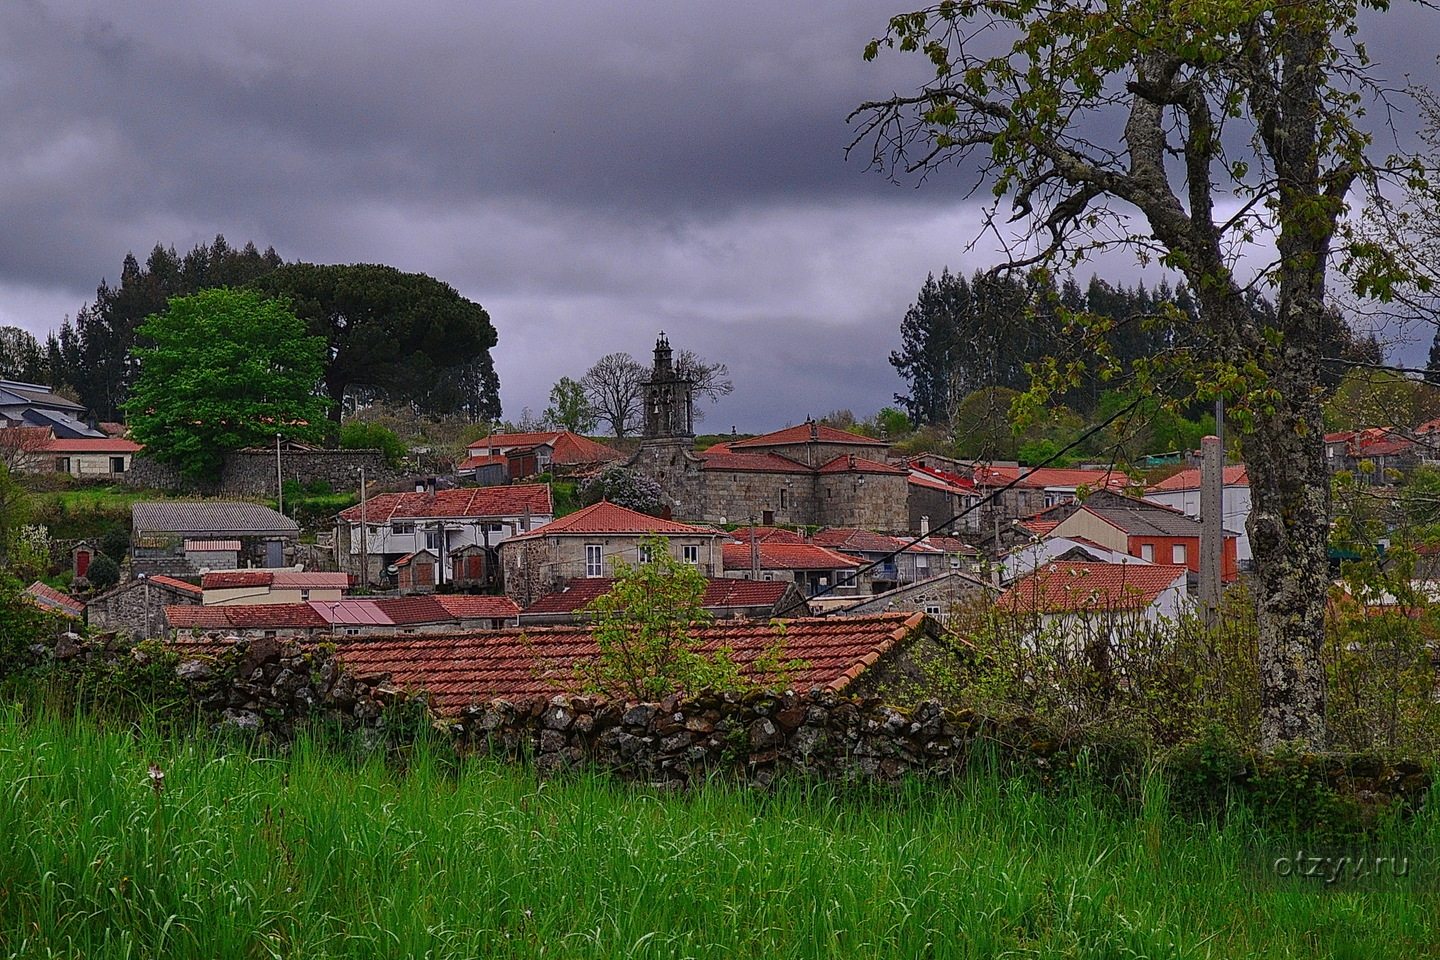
<point>230,369</point>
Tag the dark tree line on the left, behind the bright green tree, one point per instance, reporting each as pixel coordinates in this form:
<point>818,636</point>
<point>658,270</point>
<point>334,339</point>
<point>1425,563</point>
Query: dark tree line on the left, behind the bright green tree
<point>390,336</point>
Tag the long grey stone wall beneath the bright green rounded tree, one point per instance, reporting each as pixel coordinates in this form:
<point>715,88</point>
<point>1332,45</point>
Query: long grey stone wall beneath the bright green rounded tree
<point>253,473</point>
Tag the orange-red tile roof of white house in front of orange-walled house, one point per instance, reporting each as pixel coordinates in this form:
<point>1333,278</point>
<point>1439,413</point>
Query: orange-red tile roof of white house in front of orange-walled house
<point>1065,587</point>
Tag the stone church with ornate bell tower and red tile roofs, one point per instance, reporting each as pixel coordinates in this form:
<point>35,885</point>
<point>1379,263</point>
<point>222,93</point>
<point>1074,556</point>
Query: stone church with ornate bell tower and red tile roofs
<point>807,474</point>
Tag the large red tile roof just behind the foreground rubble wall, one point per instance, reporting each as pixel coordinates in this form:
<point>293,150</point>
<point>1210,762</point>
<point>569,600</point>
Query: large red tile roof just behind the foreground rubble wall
<point>474,669</point>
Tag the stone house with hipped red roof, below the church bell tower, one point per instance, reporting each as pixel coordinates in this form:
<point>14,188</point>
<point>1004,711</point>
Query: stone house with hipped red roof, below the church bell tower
<point>590,542</point>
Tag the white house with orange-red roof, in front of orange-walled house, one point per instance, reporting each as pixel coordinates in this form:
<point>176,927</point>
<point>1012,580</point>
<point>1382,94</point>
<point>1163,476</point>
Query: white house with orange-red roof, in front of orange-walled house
<point>1081,605</point>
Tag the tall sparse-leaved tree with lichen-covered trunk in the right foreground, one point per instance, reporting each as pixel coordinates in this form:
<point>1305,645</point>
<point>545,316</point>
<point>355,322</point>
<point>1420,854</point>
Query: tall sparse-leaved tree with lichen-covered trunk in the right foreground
<point>1236,123</point>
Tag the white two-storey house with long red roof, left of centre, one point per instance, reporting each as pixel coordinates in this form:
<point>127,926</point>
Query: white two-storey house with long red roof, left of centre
<point>453,535</point>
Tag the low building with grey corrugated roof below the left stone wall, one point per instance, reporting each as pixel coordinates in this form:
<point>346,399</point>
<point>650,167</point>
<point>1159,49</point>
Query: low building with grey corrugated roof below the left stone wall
<point>166,530</point>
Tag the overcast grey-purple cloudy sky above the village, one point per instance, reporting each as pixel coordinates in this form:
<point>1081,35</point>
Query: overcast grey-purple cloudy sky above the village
<point>590,173</point>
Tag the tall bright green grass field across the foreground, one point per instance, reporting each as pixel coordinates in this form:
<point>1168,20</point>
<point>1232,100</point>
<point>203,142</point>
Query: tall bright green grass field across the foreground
<point>318,856</point>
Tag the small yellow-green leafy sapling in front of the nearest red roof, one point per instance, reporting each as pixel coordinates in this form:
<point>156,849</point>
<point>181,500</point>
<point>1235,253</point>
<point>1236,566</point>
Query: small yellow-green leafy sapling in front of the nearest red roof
<point>644,627</point>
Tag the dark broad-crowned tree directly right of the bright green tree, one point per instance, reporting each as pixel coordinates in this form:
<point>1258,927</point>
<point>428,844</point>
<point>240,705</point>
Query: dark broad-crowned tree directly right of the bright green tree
<point>395,336</point>
